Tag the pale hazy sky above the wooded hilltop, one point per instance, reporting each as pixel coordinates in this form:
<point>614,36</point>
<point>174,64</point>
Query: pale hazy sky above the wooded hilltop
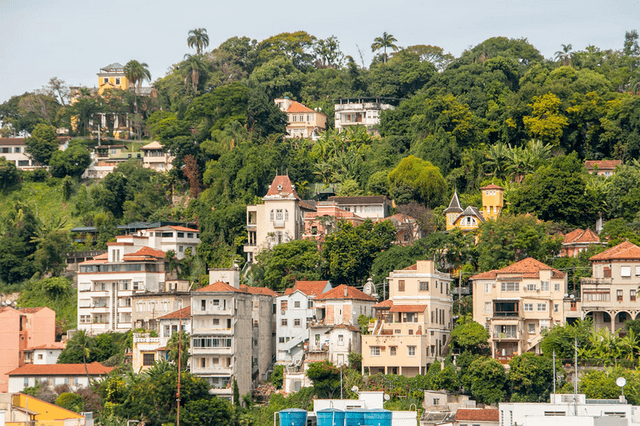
<point>73,39</point>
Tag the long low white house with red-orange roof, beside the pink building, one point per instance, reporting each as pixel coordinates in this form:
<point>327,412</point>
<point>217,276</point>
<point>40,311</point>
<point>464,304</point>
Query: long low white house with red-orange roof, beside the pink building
<point>73,375</point>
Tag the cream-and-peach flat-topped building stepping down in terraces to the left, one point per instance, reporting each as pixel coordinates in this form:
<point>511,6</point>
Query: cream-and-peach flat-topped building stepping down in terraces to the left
<point>412,328</point>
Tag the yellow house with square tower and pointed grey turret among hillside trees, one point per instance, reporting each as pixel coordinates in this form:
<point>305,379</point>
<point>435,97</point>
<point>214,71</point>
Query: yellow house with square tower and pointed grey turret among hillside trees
<point>470,218</point>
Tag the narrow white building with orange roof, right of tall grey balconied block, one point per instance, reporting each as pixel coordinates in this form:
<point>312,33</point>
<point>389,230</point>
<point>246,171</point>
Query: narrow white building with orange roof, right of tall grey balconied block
<point>294,311</point>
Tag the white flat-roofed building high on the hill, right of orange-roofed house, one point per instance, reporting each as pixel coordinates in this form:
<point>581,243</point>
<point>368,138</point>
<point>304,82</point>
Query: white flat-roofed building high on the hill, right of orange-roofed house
<point>360,112</point>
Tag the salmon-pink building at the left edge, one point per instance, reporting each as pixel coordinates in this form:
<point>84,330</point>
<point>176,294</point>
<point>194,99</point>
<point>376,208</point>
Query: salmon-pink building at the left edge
<point>21,329</point>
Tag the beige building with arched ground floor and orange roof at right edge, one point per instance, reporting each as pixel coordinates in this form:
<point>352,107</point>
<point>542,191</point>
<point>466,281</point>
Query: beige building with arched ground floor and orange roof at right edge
<point>609,297</point>
